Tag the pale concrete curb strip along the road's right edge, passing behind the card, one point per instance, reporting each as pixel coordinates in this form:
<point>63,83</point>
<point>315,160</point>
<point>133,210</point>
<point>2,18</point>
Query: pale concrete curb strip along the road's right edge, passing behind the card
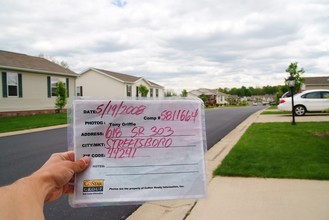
<point>180,209</point>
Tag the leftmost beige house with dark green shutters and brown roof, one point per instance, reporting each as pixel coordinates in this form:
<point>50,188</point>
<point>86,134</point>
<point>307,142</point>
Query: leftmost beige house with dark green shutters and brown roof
<point>28,84</point>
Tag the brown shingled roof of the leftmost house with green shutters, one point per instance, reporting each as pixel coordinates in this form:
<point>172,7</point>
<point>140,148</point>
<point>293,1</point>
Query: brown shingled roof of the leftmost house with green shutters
<point>22,62</point>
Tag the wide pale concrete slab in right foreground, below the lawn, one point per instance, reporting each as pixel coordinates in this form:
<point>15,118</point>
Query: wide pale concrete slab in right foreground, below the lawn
<point>270,199</point>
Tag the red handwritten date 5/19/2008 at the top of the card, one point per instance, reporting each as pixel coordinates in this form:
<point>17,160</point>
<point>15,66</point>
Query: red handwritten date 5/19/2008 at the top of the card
<point>120,109</point>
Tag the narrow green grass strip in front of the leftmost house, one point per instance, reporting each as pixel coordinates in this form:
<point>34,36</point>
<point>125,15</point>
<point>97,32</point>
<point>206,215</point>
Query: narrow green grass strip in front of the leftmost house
<point>32,121</point>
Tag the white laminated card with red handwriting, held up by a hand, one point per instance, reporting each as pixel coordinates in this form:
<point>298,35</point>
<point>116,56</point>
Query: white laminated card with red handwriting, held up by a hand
<point>141,150</point>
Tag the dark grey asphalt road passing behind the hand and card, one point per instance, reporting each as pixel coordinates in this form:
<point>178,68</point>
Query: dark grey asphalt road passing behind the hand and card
<point>23,154</point>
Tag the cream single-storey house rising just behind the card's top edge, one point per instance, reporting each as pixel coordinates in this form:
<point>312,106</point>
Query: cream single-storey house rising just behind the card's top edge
<point>99,83</point>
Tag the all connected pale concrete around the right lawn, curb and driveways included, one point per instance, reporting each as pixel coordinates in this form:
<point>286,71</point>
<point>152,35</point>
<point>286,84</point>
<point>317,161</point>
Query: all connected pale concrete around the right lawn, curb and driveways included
<point>247,198</point>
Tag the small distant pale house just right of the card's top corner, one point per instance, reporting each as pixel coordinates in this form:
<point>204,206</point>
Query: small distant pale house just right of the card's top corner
<point>213,96</point>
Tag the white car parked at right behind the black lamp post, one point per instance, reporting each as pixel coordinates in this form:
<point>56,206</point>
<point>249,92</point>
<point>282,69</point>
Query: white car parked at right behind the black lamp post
<point>315,100</point>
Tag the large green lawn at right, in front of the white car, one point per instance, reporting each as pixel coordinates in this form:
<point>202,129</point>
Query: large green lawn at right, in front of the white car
<point>280,150</point>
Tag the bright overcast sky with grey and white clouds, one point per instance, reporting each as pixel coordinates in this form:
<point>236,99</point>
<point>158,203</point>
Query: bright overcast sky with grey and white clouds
<point>178,44</point>
